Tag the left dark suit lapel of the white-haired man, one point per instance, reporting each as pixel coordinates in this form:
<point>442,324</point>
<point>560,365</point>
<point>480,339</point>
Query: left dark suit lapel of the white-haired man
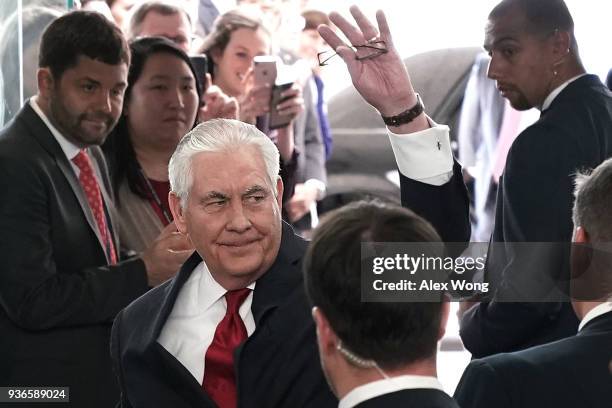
<point>172,371</point>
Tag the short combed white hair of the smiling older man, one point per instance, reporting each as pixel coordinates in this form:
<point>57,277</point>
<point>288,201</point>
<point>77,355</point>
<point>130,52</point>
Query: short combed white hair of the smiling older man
<point>219,135</point>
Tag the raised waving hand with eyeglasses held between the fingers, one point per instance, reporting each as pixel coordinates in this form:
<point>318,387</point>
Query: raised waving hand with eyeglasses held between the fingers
<point>382,80</point>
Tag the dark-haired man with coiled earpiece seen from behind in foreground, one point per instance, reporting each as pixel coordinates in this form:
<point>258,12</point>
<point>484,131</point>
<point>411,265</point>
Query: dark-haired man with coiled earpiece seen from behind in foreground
<point>375,354</point>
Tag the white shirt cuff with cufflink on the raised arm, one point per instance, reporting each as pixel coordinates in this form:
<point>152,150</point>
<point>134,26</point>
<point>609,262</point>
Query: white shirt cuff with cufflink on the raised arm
<point>424,156</point>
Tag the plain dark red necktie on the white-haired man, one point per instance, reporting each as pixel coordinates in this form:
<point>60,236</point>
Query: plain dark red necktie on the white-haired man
<point>219,378</point>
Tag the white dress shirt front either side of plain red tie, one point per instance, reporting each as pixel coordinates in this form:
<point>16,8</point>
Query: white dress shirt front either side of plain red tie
<point>199,308</point>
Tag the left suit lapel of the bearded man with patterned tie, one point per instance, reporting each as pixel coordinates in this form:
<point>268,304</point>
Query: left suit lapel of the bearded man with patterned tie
<point>42,134</point>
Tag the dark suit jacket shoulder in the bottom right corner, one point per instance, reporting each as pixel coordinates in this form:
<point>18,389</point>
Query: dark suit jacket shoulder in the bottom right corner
<point>573,372</point>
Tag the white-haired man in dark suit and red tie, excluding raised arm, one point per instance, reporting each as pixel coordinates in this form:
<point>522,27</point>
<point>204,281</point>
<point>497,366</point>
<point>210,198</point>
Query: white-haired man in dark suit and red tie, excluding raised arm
<point>234,327</point>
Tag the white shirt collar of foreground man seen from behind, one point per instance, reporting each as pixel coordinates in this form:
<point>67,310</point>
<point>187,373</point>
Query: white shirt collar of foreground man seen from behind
<point>387,386</point>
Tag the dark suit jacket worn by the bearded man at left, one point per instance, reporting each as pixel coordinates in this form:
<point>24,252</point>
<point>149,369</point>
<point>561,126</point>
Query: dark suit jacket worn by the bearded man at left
<point>58,297</point>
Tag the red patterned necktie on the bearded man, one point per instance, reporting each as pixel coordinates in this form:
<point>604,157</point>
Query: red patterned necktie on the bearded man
<point>94,198</point>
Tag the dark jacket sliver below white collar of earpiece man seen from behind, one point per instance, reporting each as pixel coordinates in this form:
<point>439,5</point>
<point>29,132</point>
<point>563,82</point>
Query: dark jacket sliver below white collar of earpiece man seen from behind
<point>421,397</point>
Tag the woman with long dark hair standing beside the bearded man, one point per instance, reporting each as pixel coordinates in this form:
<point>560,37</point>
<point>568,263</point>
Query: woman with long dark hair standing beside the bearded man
<point>160,106</point>
